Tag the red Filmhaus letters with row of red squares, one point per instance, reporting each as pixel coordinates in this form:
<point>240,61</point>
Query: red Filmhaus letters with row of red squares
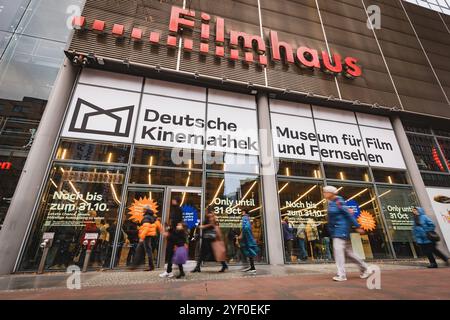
<point>252,44</point>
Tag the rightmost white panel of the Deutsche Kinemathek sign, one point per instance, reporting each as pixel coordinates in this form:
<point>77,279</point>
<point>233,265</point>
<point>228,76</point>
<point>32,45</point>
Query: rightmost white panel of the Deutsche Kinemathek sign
<point>232,130</point>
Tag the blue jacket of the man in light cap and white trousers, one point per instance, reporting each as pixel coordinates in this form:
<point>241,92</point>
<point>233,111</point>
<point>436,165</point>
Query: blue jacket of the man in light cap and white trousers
<point>340,219</point>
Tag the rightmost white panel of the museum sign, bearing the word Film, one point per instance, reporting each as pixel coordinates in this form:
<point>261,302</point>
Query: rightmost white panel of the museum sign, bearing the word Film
<point>382,143</point>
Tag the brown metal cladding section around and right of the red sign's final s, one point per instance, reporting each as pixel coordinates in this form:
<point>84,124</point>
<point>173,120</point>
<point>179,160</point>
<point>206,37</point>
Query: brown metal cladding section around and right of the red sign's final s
<point>346,29</point>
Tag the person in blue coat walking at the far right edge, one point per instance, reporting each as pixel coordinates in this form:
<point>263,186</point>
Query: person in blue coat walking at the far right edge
<point>423,232</point>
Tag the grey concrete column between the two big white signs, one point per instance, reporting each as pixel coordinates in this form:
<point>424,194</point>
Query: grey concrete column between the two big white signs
<point>269,183</point>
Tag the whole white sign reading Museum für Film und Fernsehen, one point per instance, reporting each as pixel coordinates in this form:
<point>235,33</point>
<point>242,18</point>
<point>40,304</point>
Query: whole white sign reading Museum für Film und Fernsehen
<point>334,142</point>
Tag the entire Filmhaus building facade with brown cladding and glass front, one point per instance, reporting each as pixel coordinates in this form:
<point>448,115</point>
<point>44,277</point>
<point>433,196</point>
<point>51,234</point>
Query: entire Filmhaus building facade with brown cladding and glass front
<point>238,106</point>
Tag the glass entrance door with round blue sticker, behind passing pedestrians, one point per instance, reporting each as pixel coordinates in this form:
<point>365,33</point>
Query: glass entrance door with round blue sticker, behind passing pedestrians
<point>190,202</point>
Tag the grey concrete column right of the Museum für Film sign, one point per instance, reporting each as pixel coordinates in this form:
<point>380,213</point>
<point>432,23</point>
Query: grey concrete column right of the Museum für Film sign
<point>416,177</point>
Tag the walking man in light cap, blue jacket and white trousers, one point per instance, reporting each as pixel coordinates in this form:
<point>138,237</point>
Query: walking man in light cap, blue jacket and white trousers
<point>340,220</point>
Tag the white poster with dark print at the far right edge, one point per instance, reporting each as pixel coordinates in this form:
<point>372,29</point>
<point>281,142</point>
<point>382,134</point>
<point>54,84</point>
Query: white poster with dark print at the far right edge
<point>440,200</point>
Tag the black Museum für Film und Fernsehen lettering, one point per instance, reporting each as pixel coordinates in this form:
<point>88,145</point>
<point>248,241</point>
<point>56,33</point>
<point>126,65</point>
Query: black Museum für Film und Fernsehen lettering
<point>331,154</point>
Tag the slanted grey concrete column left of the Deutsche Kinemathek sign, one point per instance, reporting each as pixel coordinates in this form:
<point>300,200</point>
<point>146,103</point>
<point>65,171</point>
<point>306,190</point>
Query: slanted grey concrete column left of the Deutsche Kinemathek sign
<point>33,174</point>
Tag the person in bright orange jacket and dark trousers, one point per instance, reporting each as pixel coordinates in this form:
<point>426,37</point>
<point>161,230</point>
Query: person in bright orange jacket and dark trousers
<point>148,233</point>
